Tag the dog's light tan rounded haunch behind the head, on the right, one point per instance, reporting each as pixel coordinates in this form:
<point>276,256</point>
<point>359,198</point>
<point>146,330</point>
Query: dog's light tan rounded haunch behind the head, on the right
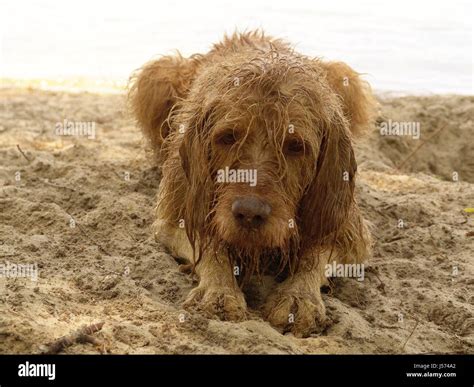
<point>358,103</point>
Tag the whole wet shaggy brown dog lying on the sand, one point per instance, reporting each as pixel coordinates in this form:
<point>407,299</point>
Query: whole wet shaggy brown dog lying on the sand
<point>255,142</point>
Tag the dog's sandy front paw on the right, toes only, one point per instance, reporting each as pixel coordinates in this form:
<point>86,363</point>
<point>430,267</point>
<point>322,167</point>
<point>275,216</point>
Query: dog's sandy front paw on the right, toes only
<point>299,313</point>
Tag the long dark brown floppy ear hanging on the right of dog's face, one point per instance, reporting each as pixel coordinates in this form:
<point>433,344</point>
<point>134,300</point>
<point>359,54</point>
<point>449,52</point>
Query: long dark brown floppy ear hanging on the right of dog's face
<point>328,199</point>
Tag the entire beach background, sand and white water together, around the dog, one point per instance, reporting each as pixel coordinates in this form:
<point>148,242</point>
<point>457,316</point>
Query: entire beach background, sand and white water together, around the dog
<point>80,208</point>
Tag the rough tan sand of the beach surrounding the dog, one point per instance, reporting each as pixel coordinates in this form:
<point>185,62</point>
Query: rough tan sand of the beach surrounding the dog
<point>80,208</point>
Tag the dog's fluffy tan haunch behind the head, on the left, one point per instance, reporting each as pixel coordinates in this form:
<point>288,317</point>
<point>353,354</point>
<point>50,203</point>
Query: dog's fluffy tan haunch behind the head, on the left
<point>154,90</point>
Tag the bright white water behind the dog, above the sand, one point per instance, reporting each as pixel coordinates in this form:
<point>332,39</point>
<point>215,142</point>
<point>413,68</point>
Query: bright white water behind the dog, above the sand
<point>413,46</point>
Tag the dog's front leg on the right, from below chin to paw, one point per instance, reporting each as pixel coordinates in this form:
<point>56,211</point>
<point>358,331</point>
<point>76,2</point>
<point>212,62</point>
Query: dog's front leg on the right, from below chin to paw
<point>296,304</point>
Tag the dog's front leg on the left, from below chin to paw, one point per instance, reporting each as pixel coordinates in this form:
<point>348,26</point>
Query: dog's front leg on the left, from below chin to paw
<point>218,293</point>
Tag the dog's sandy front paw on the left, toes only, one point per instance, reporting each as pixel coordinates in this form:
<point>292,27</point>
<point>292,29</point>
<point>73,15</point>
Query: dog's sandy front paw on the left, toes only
<point>227,304</point>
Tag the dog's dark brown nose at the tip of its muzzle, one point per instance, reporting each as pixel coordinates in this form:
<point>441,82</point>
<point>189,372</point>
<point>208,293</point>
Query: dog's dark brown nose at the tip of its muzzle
<point>250,211</point>
